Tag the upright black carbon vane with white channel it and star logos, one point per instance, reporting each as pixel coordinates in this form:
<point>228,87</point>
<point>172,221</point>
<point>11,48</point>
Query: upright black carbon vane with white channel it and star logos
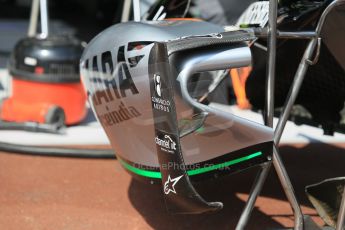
<point>179,193</point>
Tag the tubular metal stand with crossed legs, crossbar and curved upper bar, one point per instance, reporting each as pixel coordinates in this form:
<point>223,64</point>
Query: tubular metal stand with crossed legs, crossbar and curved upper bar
<point>307,60</point>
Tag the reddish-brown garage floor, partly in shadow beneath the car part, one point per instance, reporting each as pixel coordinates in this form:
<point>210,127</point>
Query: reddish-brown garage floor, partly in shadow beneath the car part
<point>60,193</point>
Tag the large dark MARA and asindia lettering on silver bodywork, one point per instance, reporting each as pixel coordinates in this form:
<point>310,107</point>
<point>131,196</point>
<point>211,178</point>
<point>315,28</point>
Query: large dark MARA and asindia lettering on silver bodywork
<point>111,84</point>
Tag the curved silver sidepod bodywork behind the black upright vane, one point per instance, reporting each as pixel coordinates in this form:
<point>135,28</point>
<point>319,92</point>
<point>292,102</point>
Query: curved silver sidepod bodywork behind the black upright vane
<point>124,107</point>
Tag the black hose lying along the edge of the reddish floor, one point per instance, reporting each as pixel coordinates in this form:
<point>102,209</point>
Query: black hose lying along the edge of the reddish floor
<point>57,151</point>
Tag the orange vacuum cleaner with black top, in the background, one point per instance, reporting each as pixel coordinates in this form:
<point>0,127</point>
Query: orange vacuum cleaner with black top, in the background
<point>46,86</point>
